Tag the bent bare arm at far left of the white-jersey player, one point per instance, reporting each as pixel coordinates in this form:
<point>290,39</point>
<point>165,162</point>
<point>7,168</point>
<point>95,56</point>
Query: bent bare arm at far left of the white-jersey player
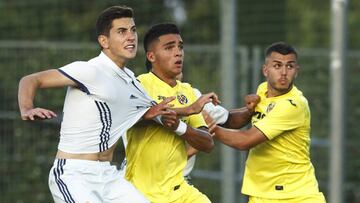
<point>28,86</point>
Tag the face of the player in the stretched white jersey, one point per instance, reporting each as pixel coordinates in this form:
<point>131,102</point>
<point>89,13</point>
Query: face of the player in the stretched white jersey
<point>121,44</point>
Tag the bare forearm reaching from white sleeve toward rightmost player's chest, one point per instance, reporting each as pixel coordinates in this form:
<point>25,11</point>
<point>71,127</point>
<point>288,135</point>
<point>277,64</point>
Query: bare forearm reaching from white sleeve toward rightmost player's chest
<point>238,118</point>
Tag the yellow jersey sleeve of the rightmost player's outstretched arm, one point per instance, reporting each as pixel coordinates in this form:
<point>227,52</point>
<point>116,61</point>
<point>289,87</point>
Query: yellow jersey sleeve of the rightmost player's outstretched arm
<point>286,115</point>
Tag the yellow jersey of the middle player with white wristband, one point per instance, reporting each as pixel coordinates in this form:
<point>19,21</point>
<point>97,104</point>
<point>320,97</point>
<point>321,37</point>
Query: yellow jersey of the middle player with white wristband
<point>156,156</point>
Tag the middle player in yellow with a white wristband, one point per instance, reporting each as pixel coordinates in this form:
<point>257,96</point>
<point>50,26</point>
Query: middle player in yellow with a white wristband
<point>156,156</point>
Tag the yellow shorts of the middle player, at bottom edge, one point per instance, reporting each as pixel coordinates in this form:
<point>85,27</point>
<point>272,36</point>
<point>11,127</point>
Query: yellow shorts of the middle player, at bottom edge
<point>191,195</point>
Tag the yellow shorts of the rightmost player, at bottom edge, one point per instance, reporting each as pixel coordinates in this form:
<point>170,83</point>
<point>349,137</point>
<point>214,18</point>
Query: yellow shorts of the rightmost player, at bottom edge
<point>317,198</point>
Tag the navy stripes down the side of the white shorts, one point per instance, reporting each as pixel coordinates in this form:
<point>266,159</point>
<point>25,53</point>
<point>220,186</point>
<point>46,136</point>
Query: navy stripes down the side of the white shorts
<point>61,185</point>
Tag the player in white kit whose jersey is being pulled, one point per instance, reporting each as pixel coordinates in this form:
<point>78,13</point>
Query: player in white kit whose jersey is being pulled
<point>103,100</point>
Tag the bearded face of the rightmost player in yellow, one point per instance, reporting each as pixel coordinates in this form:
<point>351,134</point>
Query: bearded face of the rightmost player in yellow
<point>280,71</point>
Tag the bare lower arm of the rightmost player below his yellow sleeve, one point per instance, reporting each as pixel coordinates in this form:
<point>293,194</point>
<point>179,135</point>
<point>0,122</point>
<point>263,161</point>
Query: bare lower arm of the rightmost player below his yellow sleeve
<point>242,140</point>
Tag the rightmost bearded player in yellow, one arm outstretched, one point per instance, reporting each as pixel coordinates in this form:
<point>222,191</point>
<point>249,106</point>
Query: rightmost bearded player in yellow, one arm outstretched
<point>278,168</point>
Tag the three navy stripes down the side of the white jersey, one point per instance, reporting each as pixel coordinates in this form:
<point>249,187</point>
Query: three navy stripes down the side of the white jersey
<point>106,120</point>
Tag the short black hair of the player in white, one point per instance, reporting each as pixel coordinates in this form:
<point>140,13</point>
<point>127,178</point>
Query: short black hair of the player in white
<point>106,17</point>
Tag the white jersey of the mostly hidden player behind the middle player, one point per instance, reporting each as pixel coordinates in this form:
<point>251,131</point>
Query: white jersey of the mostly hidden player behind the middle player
<point>219,114</point>
